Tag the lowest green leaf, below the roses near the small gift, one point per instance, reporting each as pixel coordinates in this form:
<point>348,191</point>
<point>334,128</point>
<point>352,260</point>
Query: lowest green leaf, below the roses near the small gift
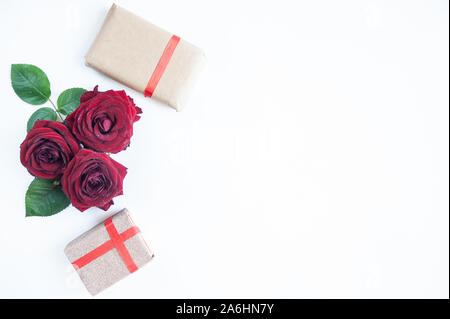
<point>45,198</point>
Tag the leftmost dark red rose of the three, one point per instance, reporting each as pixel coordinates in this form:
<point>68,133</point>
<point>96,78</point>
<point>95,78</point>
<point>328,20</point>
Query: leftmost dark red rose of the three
<point>48,149</point>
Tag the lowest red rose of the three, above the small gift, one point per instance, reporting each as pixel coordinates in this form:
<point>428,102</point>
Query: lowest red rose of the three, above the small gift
<point>93,179</point>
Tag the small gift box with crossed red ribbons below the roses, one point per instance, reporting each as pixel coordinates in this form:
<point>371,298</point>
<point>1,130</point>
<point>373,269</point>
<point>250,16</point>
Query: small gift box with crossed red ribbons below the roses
<point>108,252</point>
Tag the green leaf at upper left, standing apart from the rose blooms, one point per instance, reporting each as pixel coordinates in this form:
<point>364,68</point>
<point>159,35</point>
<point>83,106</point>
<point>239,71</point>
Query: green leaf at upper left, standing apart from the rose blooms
<point>30,83</point>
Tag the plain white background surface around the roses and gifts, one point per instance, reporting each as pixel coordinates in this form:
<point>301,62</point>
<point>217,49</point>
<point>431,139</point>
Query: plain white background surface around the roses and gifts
<point>311,161</point>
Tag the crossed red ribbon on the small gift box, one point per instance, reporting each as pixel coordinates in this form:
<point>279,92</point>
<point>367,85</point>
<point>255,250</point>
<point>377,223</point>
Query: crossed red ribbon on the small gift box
<point>117,241</point>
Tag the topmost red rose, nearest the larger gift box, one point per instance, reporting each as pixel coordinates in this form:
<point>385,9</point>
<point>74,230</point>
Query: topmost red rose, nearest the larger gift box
<point>104,120</point>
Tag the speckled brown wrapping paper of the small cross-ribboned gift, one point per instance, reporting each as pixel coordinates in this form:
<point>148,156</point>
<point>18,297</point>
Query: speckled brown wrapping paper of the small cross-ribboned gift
<point>109,268</point>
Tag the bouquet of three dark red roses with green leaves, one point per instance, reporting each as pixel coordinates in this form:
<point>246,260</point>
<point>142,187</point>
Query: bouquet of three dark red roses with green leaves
<point>67,147</point>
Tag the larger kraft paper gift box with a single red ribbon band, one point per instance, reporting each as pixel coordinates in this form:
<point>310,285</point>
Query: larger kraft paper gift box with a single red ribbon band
<point>146,58</point>
